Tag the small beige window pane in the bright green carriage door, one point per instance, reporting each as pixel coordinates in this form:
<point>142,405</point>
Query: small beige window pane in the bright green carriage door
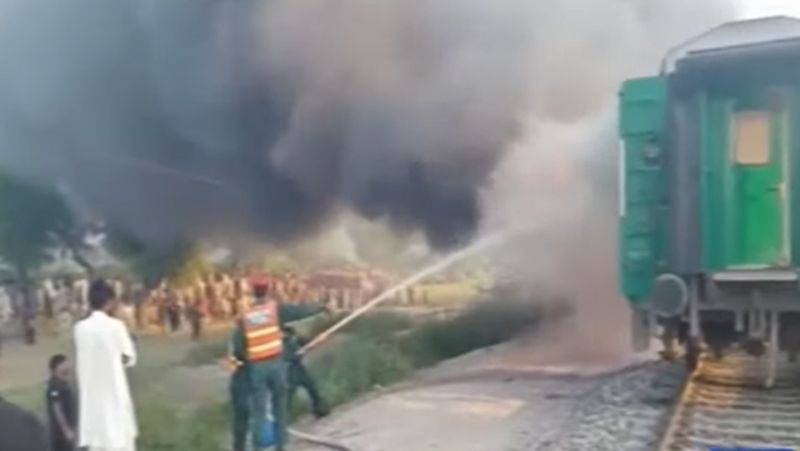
<point>751,137</point>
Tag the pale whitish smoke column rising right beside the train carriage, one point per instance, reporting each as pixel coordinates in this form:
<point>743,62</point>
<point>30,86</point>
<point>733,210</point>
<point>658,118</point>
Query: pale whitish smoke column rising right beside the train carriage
<point>561,173</point>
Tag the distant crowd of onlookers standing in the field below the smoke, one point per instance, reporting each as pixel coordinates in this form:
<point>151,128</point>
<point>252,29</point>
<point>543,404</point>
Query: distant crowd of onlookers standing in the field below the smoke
<point>56,304</point>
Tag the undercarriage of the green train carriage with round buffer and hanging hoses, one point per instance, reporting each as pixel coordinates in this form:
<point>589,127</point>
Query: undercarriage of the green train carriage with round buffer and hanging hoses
<point>760,315</point>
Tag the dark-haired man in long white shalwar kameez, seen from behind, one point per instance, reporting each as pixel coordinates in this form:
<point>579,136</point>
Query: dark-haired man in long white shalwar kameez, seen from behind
<point>107,421</point>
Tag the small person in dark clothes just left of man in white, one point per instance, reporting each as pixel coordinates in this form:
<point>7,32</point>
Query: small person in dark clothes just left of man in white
<point>61,412</point>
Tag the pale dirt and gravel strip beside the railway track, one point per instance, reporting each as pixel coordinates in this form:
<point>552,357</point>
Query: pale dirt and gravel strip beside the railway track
<point>523,395</point>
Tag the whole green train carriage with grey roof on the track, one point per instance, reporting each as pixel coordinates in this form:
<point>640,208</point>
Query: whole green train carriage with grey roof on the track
<point>710,192</point>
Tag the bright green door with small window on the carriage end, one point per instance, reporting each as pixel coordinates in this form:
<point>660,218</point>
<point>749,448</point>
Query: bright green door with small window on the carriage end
<point>757,200</point>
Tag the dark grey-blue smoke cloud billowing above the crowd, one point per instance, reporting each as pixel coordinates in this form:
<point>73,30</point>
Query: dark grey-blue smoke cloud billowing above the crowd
<point>182,118</point>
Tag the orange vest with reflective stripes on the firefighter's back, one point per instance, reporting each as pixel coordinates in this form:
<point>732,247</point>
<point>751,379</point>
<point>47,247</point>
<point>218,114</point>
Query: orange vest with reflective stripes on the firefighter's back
<point>262,332</point>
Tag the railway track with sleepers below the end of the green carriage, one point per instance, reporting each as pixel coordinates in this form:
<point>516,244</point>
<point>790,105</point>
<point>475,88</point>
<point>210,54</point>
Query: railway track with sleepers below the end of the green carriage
<point>724,405</point>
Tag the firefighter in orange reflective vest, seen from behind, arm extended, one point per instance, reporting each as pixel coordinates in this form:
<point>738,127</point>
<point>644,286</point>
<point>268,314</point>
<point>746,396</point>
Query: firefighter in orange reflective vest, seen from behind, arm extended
<point>258,343</point>
